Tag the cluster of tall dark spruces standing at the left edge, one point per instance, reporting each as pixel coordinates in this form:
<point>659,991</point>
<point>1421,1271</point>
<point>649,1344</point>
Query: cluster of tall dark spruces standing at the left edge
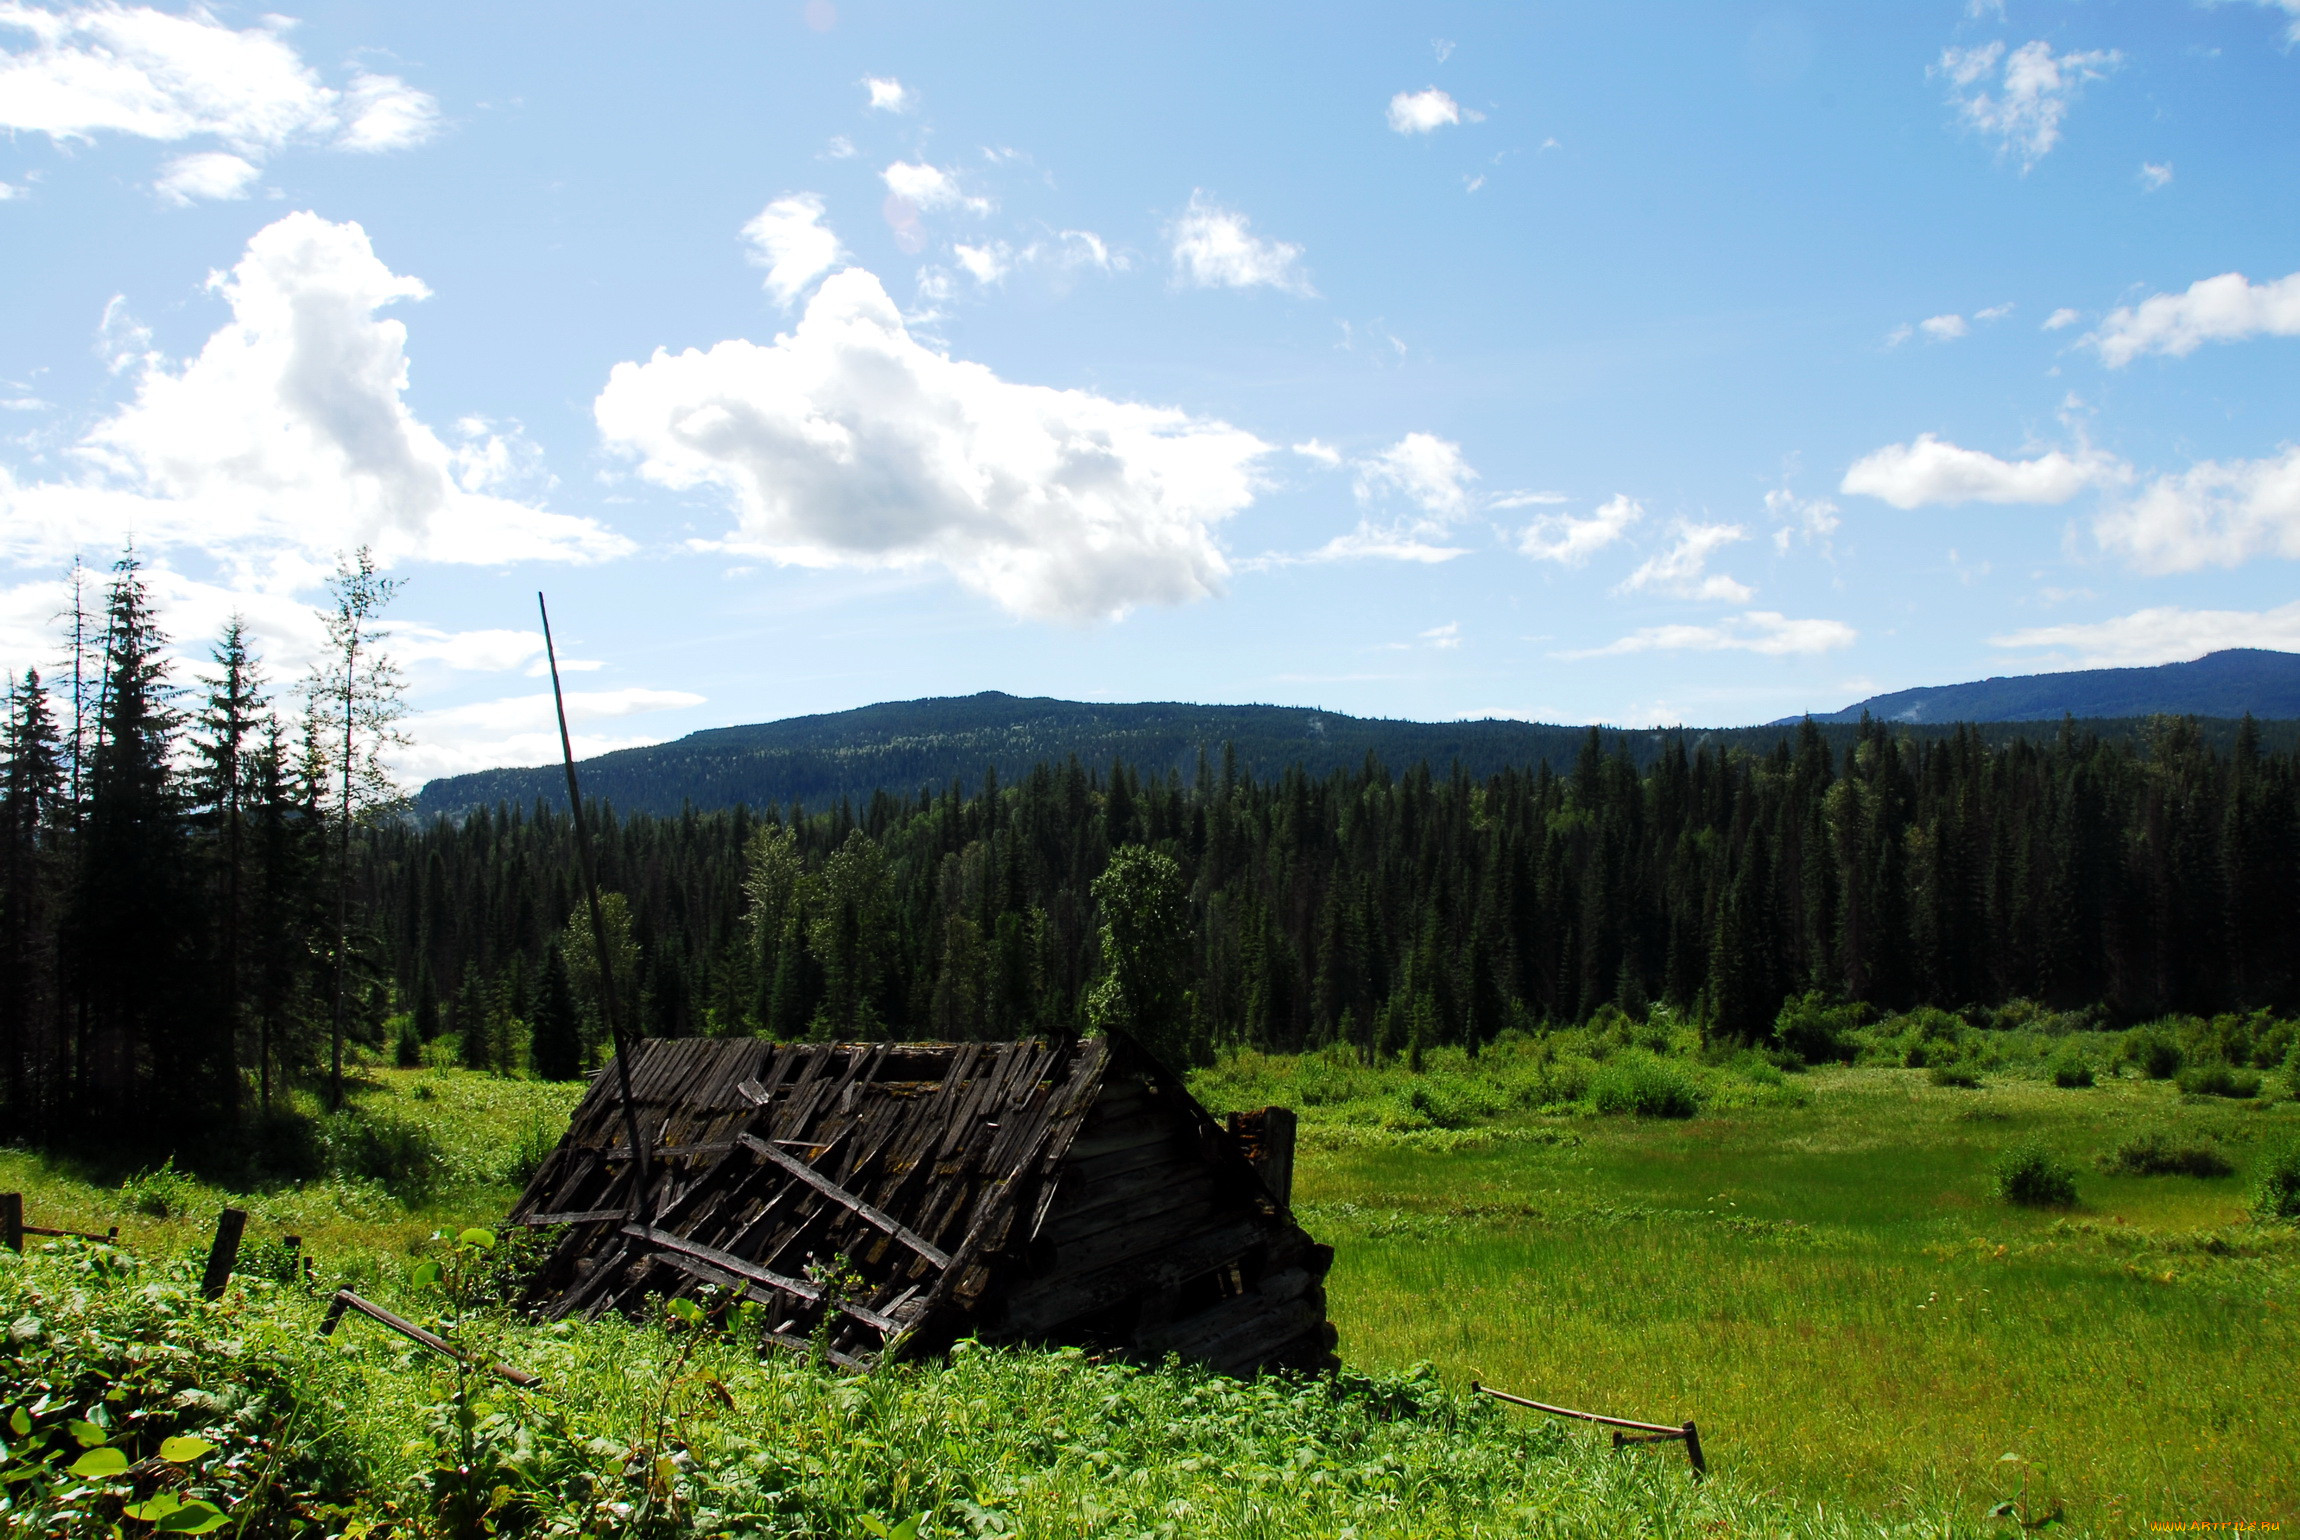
<point>181,930</point>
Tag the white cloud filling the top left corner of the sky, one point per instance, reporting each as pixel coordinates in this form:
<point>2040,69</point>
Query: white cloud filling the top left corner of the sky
<point>132,70</point>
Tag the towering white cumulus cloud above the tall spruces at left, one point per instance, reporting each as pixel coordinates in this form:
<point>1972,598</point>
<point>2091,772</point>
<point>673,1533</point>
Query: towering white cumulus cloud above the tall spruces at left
<point>289,438</point>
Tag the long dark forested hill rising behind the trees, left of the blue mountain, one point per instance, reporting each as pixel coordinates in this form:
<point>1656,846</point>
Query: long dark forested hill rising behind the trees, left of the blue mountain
<point>903,746</point>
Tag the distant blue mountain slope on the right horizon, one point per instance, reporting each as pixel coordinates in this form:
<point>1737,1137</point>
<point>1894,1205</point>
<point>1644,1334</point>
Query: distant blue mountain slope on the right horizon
<point>2225,684</point>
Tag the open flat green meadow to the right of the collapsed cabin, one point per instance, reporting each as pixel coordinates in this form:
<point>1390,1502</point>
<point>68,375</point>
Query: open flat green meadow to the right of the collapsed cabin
<point>1841,1300</point>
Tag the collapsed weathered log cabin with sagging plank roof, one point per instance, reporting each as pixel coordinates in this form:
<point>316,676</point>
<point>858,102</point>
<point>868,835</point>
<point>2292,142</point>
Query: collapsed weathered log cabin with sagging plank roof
<point>891,1199</point>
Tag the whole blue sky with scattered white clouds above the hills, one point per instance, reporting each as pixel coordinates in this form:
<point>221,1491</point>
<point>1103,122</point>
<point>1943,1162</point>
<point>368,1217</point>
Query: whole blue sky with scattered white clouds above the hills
<point>1630,364</point>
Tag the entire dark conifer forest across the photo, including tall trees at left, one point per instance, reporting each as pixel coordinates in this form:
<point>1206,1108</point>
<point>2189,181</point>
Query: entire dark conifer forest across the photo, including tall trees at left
<point>210,893</point>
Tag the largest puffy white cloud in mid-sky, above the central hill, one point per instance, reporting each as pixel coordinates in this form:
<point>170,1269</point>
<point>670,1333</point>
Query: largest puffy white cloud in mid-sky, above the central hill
<point>850,442</point>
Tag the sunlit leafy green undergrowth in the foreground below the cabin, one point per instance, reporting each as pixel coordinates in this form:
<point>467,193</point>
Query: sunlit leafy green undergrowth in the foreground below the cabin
<point>132,1403</point>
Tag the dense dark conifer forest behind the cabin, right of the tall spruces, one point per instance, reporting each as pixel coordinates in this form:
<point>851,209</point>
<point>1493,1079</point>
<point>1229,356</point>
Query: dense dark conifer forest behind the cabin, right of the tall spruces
<point>1372,907</point>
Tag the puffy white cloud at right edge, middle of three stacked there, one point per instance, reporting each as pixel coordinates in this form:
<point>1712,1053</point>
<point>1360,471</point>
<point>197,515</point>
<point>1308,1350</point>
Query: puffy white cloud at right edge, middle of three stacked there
<point>2214,514</point>
